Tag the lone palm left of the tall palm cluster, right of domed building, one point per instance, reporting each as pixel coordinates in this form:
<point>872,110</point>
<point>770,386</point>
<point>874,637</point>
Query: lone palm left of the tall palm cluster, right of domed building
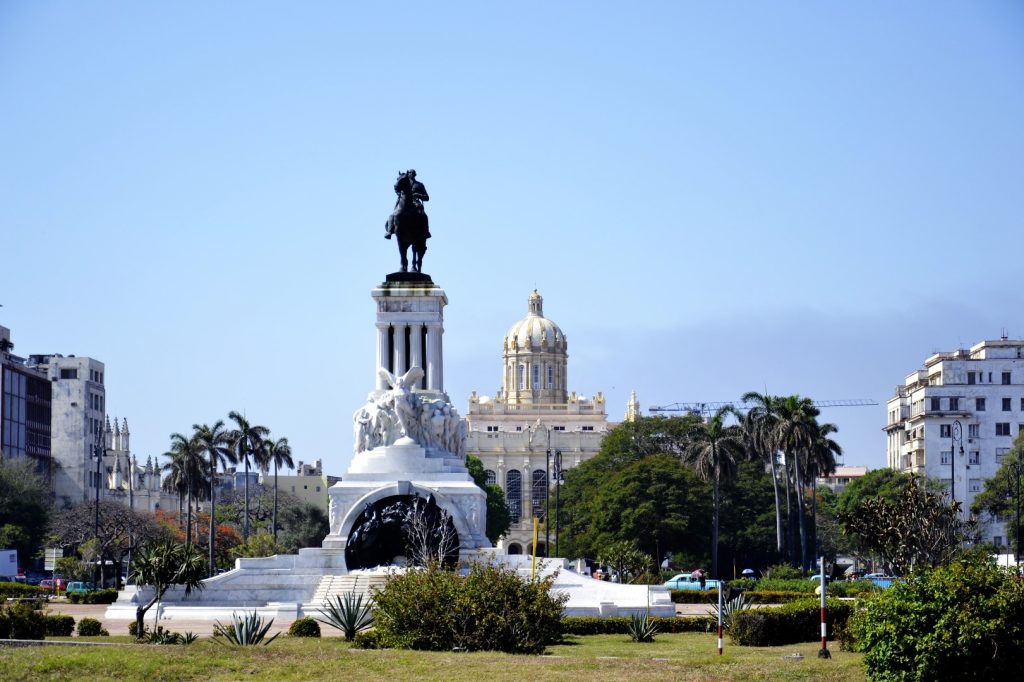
<point>713,450</point>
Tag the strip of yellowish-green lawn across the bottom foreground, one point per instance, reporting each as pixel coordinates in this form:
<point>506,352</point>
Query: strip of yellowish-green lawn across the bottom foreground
<point>684,657</point>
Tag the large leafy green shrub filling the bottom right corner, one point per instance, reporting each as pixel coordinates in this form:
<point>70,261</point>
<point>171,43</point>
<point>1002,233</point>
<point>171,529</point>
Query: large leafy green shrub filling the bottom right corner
<point>960,622</point>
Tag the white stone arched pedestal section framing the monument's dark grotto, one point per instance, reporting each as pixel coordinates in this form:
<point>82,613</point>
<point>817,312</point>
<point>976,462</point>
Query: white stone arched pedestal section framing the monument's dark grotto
<point>405,470</point>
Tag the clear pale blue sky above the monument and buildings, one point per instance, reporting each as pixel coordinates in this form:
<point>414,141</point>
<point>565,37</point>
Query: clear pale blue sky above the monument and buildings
<point>712,198</point>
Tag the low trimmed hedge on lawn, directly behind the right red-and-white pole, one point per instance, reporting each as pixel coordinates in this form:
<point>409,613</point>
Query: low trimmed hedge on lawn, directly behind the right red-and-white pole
<point>794,623</point>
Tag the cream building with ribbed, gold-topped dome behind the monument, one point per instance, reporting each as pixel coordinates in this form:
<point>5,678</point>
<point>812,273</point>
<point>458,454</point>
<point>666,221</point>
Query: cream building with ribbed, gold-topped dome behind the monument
<point>532,425</point>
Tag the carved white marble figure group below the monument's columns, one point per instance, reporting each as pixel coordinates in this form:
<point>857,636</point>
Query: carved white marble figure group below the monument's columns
<point>399,413</point>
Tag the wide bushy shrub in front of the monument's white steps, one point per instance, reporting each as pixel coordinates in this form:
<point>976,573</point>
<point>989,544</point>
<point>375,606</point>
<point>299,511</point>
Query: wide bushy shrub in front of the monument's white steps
<point>492,609</point>
